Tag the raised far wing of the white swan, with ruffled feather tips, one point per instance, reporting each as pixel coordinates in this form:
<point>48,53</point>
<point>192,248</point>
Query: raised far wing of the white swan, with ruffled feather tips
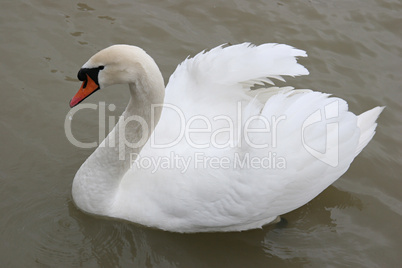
<point>225,71</point>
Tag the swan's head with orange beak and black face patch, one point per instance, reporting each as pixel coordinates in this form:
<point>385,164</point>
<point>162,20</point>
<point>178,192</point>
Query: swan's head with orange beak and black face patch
<point>117,64</point>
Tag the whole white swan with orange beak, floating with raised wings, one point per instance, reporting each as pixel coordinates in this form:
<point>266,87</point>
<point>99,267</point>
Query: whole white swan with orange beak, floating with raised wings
<point>223,157</point>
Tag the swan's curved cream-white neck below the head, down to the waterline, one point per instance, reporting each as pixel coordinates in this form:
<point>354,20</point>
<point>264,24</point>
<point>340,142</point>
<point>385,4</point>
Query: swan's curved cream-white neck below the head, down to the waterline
<point>97,181</point>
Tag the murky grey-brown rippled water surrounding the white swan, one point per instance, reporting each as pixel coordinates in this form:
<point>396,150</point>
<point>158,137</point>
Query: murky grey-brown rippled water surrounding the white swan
<point>354,48</point>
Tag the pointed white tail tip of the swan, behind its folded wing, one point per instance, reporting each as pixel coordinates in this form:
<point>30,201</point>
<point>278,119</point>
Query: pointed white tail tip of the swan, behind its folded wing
<point>367,124</point>
